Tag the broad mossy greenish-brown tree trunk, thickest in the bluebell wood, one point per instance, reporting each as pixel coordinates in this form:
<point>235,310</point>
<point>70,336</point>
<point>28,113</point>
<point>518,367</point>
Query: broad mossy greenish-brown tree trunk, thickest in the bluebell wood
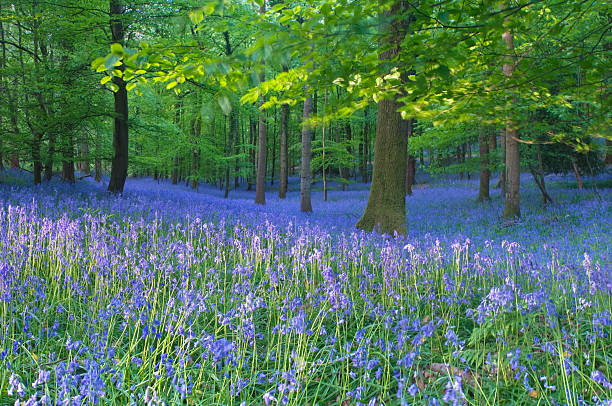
<point>386,208</point>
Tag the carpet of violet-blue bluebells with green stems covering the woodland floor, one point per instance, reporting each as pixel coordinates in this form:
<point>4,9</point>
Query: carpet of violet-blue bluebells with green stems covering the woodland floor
<point>171,296</point>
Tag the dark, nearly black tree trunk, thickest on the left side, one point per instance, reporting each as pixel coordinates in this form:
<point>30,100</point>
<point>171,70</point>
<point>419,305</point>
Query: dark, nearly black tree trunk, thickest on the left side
<point>120,129</point>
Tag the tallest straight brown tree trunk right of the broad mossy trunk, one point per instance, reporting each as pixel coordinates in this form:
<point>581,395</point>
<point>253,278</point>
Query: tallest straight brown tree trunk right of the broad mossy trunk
<point>513,163</point>
